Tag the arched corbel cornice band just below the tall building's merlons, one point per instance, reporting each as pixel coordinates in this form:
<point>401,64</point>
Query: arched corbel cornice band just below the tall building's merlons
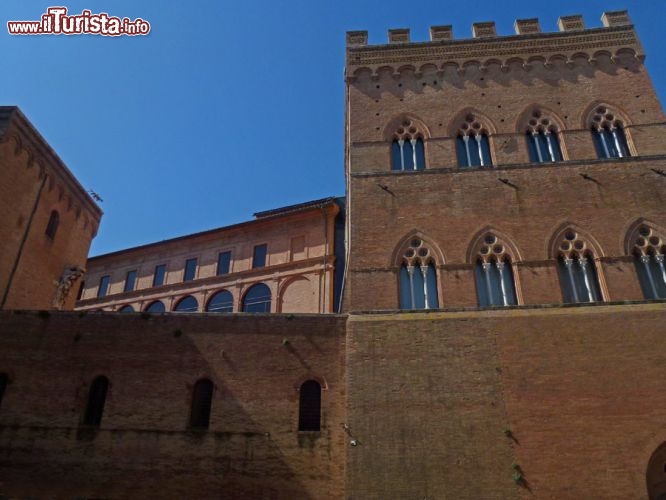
<point>494,50</point>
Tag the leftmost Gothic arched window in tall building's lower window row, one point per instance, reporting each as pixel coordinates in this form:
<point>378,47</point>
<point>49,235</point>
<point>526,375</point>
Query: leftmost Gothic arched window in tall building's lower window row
<point>418,278</point>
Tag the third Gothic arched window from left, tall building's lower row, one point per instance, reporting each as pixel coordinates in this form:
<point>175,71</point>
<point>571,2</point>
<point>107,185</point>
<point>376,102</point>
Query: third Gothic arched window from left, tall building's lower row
<point>577,270</point>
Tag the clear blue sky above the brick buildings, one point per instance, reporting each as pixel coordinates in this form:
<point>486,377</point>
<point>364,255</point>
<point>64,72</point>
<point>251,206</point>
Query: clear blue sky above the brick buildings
<point>226,109</point>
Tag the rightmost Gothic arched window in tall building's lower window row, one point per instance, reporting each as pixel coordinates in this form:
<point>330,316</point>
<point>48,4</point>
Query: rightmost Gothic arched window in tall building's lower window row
<point>649,249</point>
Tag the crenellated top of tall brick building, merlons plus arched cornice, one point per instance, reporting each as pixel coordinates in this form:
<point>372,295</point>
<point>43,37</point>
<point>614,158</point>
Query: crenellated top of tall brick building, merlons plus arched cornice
<point>485,48</point>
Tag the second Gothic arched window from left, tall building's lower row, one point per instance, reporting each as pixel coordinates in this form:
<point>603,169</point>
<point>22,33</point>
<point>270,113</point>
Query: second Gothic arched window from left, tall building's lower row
<point>495,285</point>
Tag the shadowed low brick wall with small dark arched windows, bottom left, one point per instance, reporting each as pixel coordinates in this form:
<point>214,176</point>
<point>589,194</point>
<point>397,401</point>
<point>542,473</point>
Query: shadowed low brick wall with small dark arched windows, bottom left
<point>143,448</point>
